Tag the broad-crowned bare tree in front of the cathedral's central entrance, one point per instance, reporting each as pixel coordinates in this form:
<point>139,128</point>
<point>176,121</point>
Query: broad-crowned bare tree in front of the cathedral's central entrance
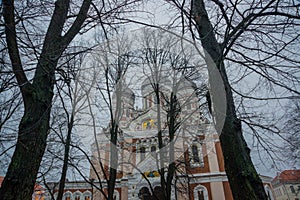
<point>163,69</point>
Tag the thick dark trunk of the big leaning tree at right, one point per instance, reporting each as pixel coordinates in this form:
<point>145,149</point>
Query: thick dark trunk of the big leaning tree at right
<point>244,181</point>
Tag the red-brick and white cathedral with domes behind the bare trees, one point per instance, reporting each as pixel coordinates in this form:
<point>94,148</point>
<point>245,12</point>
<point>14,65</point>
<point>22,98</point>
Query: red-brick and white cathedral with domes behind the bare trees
<point>139,155</point>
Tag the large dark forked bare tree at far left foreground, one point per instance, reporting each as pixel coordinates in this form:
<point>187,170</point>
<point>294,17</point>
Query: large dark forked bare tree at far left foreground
<point>37,96</point>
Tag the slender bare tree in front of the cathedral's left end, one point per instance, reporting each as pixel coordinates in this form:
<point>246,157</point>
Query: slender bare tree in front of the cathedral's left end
<point>113,61</point>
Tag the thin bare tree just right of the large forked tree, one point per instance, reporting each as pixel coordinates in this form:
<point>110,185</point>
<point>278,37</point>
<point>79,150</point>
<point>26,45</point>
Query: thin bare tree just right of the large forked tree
<point>74,92</point>
